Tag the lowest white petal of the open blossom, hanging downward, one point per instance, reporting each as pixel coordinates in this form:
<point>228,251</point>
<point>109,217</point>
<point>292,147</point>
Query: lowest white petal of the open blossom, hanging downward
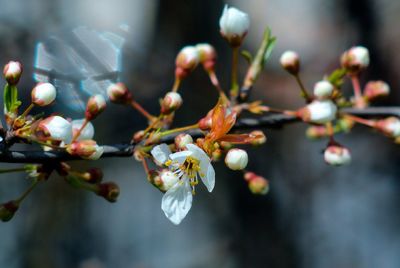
<point>177,202</point>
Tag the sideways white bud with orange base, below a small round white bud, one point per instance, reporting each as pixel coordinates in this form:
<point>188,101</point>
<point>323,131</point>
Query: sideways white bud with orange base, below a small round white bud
<point>318,111</point>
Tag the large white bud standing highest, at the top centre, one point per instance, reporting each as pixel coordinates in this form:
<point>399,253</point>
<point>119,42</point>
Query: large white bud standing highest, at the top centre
<point>234,25</point>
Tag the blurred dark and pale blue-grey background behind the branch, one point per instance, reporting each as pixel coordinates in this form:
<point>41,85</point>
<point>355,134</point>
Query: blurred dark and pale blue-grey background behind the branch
<point>314,216</point>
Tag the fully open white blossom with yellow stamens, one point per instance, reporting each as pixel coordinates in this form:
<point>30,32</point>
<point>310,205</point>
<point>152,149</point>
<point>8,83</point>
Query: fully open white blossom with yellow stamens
<point>188,166</point>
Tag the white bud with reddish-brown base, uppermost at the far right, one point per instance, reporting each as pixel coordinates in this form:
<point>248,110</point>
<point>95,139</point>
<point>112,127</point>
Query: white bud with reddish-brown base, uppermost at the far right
<point>355,59</point>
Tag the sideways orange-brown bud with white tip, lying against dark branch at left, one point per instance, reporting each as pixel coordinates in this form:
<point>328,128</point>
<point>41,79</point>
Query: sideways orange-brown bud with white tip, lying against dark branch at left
<point>87,149</point>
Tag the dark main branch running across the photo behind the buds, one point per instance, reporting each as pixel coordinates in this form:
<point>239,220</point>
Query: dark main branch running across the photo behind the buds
<point>126,150</point>
